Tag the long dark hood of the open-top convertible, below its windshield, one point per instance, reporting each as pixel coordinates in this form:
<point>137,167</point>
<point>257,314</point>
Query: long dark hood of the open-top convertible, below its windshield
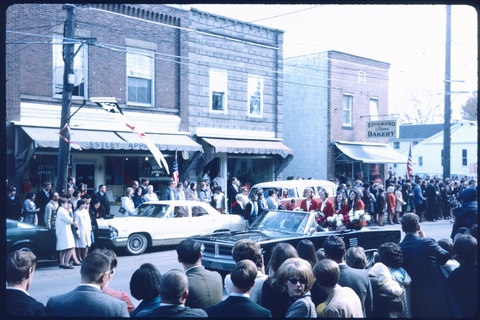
<point>234,236</point>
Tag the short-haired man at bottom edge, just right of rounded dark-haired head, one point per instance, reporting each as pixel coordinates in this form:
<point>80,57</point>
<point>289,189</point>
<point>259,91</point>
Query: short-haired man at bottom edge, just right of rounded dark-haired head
<point>174,293</point>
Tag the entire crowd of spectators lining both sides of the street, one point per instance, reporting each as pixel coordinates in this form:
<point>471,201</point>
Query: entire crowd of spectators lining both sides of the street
<point>418,277</point>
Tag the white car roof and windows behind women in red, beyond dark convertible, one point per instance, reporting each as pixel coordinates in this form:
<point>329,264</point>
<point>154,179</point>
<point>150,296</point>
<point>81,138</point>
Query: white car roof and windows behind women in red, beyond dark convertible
<point>294,189</point>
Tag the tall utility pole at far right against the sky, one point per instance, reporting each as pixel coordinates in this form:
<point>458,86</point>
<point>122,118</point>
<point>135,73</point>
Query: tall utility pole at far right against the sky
<point>447,112</point>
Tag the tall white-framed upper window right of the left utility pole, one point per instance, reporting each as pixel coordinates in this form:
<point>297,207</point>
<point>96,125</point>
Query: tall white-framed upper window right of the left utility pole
<point>140,76</point>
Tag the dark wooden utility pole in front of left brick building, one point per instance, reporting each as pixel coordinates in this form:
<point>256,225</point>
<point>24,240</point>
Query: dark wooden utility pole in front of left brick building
<point>68,84</point>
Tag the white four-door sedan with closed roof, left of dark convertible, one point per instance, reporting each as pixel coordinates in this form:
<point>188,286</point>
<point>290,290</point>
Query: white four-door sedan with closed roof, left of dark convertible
<point>163,223</point>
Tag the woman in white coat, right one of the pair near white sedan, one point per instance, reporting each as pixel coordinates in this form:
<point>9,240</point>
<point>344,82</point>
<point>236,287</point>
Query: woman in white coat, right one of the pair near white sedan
<point>83,239</point>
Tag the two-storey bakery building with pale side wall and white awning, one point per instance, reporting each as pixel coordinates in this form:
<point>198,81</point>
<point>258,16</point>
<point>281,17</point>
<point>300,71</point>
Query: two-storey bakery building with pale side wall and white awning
<point>328,99</point>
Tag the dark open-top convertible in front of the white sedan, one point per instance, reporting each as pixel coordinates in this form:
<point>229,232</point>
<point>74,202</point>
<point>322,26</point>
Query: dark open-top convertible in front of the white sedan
<point>276,226</point>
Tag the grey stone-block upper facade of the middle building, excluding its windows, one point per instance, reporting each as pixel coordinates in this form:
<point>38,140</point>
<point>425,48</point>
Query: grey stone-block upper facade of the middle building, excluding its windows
<point>254,53</point>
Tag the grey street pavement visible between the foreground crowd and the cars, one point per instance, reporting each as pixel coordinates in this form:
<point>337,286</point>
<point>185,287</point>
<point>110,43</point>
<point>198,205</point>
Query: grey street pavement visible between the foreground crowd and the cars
<point>49,280</point>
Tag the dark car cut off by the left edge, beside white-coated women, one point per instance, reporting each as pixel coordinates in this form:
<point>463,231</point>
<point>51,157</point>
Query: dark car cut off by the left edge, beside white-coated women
<point>25,236</point>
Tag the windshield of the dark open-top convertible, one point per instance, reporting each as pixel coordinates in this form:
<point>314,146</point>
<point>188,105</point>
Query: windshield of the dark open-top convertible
<point>291,221</point>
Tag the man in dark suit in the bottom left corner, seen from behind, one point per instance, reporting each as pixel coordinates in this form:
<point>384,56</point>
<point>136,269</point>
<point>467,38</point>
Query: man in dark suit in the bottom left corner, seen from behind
<point>19,271</point>
